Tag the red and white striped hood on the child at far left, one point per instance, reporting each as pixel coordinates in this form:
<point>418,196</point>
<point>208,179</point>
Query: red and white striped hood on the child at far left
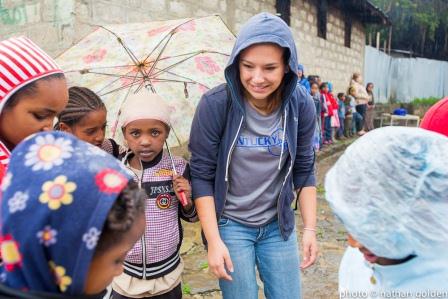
<point>22,62</point>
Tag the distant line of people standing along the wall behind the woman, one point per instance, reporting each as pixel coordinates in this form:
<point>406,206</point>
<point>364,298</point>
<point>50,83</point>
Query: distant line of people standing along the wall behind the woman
<point>337,117</point>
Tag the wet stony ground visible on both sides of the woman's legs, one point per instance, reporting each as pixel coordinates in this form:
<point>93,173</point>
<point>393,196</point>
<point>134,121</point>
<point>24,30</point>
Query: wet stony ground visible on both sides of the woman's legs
<point>318,282</point>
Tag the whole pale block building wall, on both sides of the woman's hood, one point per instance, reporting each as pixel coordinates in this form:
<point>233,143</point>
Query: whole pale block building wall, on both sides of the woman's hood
<point>57,24</point>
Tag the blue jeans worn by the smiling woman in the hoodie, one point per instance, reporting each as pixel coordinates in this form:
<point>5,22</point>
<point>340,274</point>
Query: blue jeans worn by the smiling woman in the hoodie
<point>277,261</point>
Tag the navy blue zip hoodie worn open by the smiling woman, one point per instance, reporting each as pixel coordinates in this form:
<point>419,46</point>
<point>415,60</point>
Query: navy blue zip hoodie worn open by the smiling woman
<point>221,114</point>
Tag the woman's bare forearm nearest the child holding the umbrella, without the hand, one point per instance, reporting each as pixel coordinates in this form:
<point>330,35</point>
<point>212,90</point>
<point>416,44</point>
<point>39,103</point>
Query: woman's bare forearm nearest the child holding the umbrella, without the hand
<point>205,207</point>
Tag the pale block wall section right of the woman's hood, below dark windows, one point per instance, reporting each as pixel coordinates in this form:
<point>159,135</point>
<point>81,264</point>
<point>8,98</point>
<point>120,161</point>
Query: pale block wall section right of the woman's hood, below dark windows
<point>328,58</point>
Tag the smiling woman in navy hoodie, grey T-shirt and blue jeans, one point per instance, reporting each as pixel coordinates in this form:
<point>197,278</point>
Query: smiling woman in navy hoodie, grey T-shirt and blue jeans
<point>252,147</point>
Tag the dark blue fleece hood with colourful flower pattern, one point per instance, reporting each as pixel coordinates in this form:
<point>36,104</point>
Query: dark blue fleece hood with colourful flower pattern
<point>57,194</point>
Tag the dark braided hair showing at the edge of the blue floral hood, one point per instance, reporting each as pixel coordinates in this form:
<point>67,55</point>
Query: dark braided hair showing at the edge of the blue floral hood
<point>129,206</point>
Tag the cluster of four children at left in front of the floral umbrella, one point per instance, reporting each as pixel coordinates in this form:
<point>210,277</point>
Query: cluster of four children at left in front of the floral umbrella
<point>33,91</point>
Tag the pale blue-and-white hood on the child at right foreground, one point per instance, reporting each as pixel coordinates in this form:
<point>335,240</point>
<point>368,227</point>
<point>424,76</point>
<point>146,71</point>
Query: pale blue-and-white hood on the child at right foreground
<point>395,202</point>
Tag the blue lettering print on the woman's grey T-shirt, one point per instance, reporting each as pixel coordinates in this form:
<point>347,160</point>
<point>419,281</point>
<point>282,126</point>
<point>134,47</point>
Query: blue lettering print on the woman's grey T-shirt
<point>273,143</point>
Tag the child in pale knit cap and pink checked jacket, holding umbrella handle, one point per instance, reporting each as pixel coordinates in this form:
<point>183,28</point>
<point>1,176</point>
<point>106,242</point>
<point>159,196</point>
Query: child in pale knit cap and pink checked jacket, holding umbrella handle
<point>153,267</point>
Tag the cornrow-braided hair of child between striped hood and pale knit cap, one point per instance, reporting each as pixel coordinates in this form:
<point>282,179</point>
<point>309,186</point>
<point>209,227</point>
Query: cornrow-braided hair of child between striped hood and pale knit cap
<point>81,101</point>
